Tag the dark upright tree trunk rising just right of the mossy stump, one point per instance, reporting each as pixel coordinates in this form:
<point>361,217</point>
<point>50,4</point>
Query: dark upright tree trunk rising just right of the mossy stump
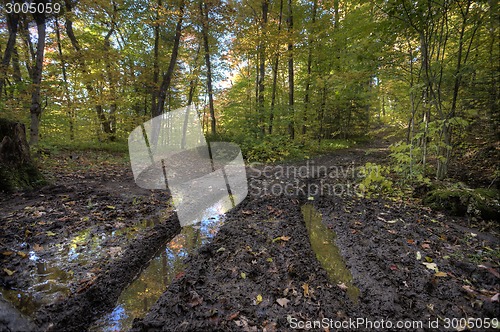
<point>36,107</point>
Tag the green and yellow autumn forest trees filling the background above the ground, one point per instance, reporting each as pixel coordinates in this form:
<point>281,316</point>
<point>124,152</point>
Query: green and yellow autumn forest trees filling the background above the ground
<point>273,76</point>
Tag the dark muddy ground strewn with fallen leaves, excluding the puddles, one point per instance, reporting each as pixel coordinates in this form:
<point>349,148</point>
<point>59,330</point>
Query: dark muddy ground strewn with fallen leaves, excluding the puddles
<point>259,272</point>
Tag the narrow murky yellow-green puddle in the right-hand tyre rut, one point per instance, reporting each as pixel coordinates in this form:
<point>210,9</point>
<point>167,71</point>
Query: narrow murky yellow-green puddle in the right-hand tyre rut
<point>328,254</point>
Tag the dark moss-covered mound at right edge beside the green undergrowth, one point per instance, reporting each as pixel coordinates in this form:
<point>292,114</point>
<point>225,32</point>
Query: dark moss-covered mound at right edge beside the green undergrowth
<point>459,200</point>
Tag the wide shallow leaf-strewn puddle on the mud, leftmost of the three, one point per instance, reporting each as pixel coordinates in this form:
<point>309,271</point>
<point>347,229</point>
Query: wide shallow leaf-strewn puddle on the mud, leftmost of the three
<point>51,276</point>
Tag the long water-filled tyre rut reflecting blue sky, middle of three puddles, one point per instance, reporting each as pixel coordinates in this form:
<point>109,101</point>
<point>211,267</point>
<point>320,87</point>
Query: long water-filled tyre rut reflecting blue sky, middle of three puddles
<point>167,265</point>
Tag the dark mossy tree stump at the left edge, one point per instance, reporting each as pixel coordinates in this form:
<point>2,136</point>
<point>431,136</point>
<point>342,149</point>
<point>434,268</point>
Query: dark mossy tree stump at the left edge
<point>17,170</point>
